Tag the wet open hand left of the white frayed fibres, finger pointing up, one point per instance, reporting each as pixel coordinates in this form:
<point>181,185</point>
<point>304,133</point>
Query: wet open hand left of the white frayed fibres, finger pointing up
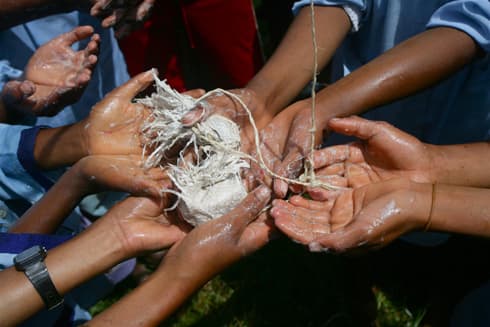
<point>113,126</point>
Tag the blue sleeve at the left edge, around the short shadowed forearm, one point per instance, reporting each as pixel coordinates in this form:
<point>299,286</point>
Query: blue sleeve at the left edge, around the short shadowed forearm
<point>15,181</point>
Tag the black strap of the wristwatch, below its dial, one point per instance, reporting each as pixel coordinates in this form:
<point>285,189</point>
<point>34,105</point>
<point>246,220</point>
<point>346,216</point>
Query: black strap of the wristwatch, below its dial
<point>39,277</point>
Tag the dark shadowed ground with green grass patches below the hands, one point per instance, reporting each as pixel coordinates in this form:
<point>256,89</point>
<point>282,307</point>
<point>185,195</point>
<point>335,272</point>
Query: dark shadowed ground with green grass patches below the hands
<point>285,285</point>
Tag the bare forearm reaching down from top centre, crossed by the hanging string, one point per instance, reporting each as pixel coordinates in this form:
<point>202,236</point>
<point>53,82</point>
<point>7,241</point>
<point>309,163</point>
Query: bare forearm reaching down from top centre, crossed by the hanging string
<point>291,66</point>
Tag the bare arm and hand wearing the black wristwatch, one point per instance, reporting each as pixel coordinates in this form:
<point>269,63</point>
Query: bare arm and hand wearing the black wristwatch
<point>132,226</point>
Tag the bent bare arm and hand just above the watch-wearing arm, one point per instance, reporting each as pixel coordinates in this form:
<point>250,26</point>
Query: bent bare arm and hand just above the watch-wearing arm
<point>87,176</point>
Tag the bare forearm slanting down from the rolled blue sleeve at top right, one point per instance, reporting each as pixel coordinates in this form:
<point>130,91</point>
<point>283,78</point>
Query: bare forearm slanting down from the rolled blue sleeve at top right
<point>412,66</point>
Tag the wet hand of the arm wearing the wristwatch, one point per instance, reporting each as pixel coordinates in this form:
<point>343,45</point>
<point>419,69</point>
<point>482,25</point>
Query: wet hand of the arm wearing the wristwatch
<point>140,226</point>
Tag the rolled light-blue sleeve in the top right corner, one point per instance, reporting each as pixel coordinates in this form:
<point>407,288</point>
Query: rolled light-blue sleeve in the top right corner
<point>469,16</point>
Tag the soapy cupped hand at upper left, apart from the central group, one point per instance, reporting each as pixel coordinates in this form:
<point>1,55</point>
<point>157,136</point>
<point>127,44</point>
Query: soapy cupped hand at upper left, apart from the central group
<point>55,76</point>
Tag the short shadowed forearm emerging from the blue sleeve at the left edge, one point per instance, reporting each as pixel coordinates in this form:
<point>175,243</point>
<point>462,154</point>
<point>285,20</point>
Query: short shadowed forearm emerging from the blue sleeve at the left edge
<point>58,147</point>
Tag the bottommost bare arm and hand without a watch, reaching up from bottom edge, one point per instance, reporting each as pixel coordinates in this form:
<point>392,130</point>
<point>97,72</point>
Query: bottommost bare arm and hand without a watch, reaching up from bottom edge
<point>204,252</point>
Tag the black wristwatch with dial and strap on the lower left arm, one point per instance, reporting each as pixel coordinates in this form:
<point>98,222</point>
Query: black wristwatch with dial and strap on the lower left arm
<point>31,262</point>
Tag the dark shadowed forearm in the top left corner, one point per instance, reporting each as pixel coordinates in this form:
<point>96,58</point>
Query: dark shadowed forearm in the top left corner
<point>17,12</point>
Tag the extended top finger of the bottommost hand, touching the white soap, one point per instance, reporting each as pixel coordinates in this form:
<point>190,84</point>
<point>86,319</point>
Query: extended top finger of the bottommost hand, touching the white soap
<point>249,208</point>
